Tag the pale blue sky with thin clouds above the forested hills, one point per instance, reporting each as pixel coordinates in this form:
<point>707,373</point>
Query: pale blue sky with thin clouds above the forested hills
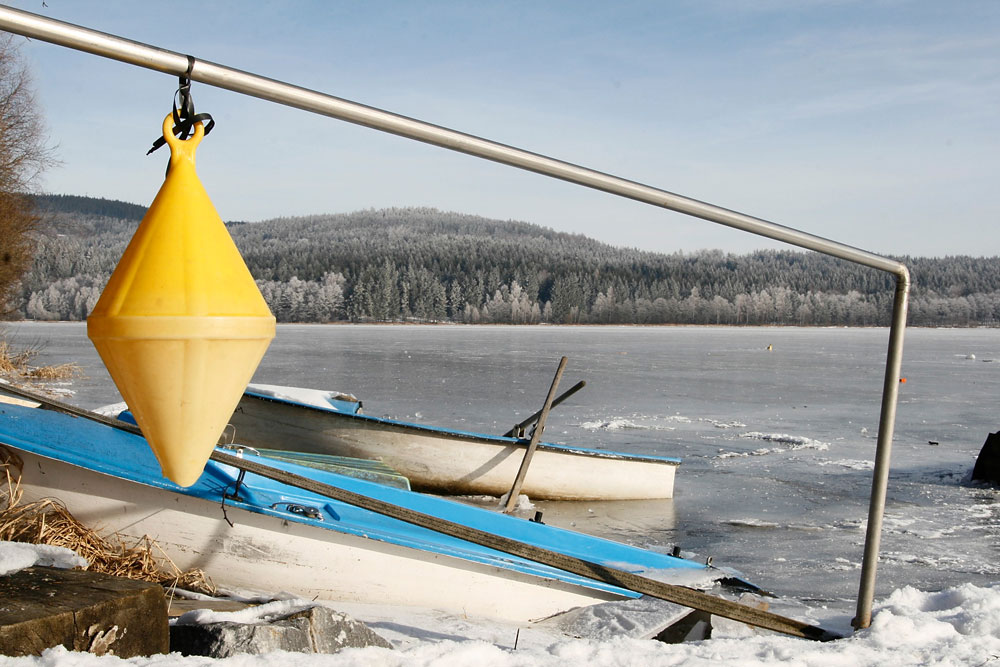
<point>874,123</point>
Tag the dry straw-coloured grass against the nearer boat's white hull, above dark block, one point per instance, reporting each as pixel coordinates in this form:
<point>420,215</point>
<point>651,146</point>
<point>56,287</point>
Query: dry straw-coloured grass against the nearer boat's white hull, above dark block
<point>47,521</point>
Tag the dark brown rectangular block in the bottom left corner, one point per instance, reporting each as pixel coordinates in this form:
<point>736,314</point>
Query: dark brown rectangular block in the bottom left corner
<point>42,607</point>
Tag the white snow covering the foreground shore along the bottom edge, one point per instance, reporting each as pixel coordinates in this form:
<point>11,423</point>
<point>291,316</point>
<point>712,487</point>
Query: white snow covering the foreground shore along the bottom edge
<point>956,626</point>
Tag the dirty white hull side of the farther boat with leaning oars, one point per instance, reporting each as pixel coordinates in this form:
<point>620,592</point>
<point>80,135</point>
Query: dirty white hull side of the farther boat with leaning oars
<point>450,462</point>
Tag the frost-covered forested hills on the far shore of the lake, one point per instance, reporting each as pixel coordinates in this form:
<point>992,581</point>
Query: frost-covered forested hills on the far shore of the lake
<point>418,264</point>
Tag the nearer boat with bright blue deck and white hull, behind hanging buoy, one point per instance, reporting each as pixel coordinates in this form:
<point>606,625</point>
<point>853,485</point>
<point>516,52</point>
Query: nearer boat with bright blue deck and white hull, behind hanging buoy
<point>287,539</point>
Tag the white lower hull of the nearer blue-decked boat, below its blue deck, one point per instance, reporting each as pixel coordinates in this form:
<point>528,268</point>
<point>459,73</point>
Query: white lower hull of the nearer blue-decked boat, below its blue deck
<point>270,554</point>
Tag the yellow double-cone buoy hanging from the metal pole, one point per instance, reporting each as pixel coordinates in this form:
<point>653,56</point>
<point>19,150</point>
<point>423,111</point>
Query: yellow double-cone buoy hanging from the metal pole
<point>181,325</point>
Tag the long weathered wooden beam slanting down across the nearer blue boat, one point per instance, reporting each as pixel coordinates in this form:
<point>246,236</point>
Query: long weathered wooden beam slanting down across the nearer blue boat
<point>682,595</point>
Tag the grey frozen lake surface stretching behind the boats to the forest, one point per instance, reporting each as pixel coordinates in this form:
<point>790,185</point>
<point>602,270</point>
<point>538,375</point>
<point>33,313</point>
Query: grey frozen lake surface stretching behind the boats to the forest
<point>776,428</point>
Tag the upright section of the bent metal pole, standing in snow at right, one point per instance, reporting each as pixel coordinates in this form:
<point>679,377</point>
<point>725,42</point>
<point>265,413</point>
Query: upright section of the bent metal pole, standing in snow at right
<point>883,450</point>
